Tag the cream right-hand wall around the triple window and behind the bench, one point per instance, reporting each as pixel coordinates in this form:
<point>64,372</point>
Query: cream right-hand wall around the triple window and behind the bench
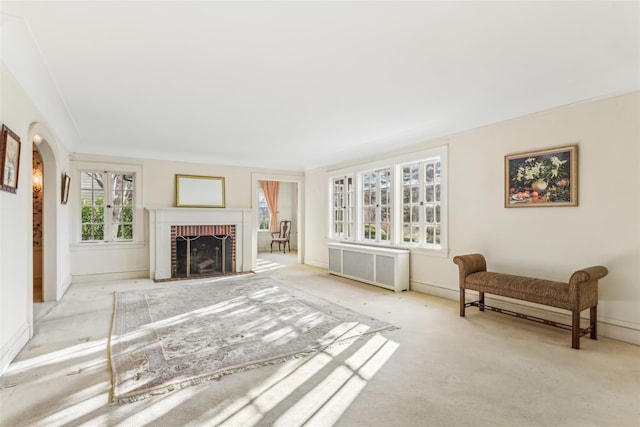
<point>546,242</point>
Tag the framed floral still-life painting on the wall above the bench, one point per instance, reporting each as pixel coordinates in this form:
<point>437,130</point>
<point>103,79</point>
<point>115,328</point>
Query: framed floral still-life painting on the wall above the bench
<point>542,178</point>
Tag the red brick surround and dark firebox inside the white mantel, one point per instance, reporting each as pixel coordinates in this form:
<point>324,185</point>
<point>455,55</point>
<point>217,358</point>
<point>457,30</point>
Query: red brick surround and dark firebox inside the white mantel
<point>202,250</point>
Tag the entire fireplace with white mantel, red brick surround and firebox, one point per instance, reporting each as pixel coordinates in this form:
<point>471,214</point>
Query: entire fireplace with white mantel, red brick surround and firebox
<point>167,224</point>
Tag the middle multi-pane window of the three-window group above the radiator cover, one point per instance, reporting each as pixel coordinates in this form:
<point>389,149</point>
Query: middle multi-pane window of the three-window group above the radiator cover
<point>376,205</point>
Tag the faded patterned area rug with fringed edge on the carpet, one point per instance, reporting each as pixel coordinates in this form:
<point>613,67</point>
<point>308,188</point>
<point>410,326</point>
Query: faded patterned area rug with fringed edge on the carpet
<point>182,334</point>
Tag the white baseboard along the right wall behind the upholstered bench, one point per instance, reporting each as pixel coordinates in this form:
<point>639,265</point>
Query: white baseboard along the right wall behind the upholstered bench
<point>609,328</point>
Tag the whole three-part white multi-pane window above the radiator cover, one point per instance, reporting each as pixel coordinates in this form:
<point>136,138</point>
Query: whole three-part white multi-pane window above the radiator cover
<point>399,201</point>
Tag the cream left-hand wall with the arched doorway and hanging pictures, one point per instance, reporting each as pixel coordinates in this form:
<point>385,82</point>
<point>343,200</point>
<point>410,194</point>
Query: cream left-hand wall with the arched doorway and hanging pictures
<point>16,231</point>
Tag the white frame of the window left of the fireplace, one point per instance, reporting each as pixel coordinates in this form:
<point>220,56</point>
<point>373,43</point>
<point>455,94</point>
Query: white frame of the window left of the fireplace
<point>76,204</point>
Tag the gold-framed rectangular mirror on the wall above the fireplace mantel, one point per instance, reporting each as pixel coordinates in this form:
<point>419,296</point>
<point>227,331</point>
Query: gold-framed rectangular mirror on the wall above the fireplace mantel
<point>199,191</point>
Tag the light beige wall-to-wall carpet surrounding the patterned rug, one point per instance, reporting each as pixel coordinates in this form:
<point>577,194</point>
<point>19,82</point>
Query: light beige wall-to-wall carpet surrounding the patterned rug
<point>481,370</point>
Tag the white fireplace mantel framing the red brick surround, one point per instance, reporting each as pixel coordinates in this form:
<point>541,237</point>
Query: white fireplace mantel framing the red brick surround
<point>161,220</point>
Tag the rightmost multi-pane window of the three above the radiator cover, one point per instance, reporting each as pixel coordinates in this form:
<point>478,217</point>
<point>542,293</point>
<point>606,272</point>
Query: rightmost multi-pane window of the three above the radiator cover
<point>421,202</point>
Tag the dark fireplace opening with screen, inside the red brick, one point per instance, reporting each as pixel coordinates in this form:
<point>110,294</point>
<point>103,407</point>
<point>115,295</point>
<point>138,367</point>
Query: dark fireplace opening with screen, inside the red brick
<point>203,255</point>
